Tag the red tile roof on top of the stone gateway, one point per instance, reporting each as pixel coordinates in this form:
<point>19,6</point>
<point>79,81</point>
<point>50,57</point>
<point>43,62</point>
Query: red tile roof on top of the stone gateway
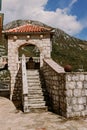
<point>28,28</point>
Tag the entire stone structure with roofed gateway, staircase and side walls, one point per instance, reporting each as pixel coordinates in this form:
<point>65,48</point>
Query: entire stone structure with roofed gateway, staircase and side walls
<point>66,91</point>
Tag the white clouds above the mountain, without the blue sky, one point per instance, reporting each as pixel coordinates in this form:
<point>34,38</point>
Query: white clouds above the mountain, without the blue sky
<point>35,10</point>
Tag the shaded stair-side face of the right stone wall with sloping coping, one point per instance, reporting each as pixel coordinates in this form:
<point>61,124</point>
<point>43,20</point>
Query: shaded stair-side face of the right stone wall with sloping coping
<point>55,86</point>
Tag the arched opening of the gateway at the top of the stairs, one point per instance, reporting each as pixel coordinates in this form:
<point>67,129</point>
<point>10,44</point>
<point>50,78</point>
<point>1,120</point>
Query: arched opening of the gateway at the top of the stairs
<point>32,55</point>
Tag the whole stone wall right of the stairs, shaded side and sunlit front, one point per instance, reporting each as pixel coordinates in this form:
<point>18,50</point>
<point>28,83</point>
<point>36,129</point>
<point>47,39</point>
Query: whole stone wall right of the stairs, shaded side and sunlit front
<point>67,92</point>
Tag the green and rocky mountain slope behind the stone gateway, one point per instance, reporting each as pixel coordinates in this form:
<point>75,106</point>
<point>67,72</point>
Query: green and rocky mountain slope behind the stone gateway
<point>66,49</point>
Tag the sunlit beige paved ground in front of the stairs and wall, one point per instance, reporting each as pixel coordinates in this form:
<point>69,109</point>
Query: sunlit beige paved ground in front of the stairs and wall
<point>11,119</point>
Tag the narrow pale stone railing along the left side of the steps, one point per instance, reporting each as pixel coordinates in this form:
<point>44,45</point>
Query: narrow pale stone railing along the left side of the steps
<point>24,86</point>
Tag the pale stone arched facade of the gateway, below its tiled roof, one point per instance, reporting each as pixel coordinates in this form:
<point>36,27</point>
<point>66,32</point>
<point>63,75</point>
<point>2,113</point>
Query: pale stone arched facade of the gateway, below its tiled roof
<point>43,44</point>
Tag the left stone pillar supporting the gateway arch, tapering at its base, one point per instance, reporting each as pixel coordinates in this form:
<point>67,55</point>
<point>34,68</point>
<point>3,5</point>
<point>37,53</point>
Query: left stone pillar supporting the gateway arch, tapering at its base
<point>12,63</point>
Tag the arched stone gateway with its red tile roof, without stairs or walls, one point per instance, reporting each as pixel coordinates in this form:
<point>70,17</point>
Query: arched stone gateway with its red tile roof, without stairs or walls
<point>26,35</point>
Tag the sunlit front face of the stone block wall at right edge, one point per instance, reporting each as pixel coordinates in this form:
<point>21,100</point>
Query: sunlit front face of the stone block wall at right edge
<point>76,94</point>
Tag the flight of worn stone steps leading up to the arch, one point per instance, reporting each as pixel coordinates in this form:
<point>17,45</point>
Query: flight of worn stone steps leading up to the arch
<point>35,95</point>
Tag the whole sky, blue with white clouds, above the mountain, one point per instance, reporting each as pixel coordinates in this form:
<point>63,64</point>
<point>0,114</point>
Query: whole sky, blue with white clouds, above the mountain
<point>67,15</point>
